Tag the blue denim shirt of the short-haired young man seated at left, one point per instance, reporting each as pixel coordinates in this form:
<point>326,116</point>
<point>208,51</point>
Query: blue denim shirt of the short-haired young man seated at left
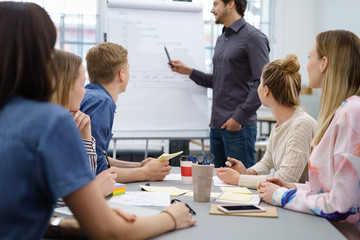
<point>100,106</point>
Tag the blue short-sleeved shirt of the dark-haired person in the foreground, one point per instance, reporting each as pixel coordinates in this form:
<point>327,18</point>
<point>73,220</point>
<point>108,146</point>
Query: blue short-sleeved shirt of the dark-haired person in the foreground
<point>42,159</point>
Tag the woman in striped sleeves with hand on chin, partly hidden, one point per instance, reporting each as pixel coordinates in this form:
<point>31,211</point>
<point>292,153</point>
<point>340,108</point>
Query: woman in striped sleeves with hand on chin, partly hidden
<point>69,94</point>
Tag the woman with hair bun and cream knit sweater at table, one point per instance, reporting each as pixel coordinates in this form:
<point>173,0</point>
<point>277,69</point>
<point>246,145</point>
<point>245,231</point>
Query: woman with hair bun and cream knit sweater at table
<point>289,143</point>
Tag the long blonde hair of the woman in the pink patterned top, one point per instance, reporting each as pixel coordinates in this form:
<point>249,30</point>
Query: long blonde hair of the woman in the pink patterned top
<point>341,78</point>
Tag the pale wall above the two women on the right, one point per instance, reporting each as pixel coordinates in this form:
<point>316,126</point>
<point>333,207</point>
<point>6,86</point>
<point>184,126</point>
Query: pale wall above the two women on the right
<point>296,23</point>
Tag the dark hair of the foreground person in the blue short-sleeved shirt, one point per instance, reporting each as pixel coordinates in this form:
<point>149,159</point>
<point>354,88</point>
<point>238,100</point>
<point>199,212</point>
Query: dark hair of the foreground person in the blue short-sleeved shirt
<point>27,40</point>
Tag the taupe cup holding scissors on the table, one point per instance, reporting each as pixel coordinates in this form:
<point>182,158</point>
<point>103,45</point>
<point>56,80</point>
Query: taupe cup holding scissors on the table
<point>202,180</point>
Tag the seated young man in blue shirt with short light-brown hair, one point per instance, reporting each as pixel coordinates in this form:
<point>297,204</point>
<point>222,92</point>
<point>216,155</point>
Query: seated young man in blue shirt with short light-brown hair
<point>108,70</point>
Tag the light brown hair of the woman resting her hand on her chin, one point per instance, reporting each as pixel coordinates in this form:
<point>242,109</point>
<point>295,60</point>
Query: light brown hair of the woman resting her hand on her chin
<point>67,65</point>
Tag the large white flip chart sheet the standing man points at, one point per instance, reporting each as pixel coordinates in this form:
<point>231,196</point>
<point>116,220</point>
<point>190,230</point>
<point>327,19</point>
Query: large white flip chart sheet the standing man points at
<point>157,99</point>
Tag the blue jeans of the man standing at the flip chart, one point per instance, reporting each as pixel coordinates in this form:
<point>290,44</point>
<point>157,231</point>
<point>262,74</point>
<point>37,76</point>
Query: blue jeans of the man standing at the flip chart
<point>239,145</point>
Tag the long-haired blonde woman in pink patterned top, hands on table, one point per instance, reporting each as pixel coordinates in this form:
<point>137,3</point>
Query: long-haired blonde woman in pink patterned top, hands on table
<point>333,190</point>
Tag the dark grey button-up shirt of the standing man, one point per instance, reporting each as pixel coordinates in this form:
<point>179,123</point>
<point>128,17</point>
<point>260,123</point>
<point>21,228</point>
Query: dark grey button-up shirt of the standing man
<point>240,55</point>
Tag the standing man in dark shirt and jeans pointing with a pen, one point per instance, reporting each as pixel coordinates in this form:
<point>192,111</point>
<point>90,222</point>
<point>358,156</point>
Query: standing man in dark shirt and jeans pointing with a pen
<point>241,52</point>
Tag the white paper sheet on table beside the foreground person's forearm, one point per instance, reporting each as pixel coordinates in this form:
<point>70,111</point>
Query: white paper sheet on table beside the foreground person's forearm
<point>141,198</point>
